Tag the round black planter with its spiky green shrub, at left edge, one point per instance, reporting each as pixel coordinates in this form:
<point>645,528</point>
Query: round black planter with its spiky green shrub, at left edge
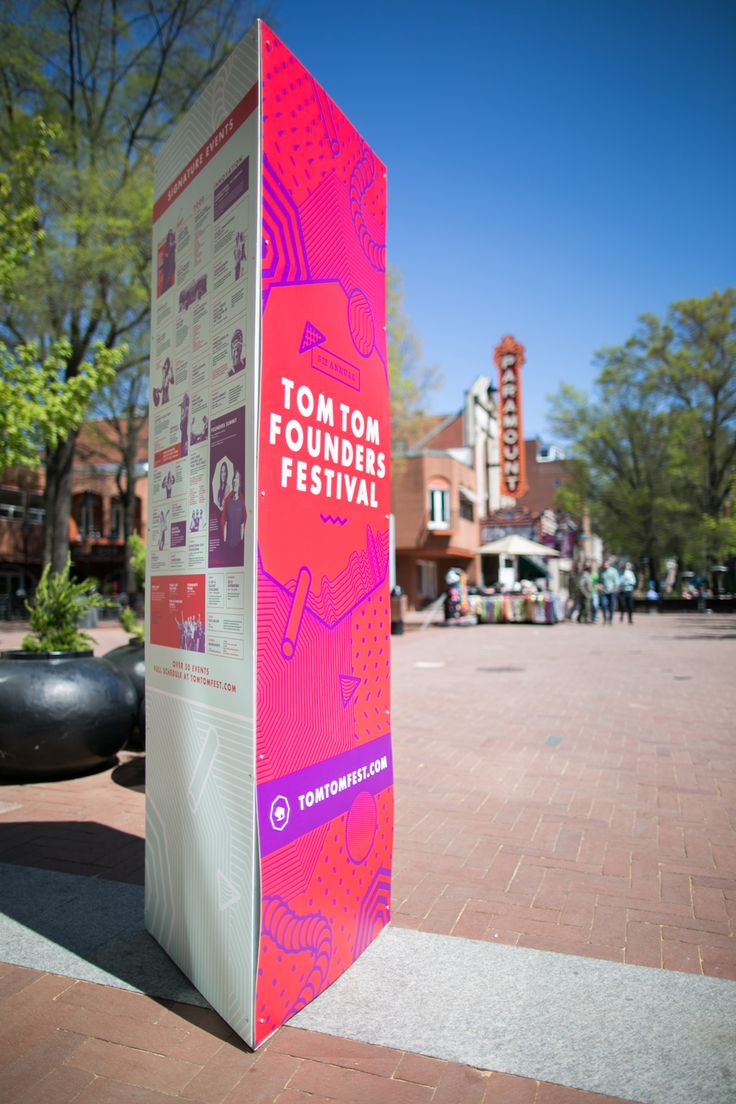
<point>62,710</point>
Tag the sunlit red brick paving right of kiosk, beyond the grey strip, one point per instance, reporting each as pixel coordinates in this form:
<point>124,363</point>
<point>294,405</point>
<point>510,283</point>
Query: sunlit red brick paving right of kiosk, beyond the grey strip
<point>572,789</point>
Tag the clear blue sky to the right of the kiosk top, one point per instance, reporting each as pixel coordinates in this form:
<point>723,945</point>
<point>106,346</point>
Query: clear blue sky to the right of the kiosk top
<point>557,168</point>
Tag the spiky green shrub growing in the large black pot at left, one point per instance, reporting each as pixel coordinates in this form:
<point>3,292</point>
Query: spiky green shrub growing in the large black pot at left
<point>59,606</point>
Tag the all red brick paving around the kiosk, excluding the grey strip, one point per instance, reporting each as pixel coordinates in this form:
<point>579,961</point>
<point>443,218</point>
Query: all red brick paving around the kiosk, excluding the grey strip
<point>571,789</point>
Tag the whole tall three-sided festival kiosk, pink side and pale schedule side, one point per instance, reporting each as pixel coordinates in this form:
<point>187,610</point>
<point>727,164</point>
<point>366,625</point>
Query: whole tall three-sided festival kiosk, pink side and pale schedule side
<point>270,777</point>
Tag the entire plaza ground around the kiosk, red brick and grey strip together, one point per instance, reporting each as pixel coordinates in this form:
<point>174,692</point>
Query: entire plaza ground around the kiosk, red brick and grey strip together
<point>564,898</point>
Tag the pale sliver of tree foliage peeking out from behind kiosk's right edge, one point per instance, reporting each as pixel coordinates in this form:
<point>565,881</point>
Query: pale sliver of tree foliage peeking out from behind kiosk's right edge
<point>411,380</point>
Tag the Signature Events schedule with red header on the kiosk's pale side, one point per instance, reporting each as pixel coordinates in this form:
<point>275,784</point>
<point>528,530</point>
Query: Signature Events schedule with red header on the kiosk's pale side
<point>202,334</point>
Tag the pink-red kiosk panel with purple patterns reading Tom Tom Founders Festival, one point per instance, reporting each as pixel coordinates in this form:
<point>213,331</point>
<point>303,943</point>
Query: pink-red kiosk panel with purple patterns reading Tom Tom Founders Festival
<point>324,760</point>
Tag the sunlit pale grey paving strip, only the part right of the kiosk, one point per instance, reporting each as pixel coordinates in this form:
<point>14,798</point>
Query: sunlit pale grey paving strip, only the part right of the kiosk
<point>627,1032</point>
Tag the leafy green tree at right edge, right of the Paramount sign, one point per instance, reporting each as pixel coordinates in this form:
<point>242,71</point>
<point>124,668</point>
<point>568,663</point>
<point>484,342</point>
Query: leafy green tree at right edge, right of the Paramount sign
<point>656,444</point>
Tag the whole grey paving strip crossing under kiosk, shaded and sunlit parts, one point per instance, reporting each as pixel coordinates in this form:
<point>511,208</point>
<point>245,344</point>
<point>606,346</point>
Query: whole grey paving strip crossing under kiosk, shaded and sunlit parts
<point>627,1032</point>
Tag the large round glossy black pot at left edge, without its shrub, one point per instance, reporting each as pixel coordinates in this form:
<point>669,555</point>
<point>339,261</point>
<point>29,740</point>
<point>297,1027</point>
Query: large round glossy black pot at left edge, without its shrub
<point>61,714</point>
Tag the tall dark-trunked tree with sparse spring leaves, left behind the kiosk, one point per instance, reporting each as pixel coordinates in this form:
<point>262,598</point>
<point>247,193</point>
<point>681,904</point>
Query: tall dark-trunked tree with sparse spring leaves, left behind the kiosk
<point>111,78</point>
